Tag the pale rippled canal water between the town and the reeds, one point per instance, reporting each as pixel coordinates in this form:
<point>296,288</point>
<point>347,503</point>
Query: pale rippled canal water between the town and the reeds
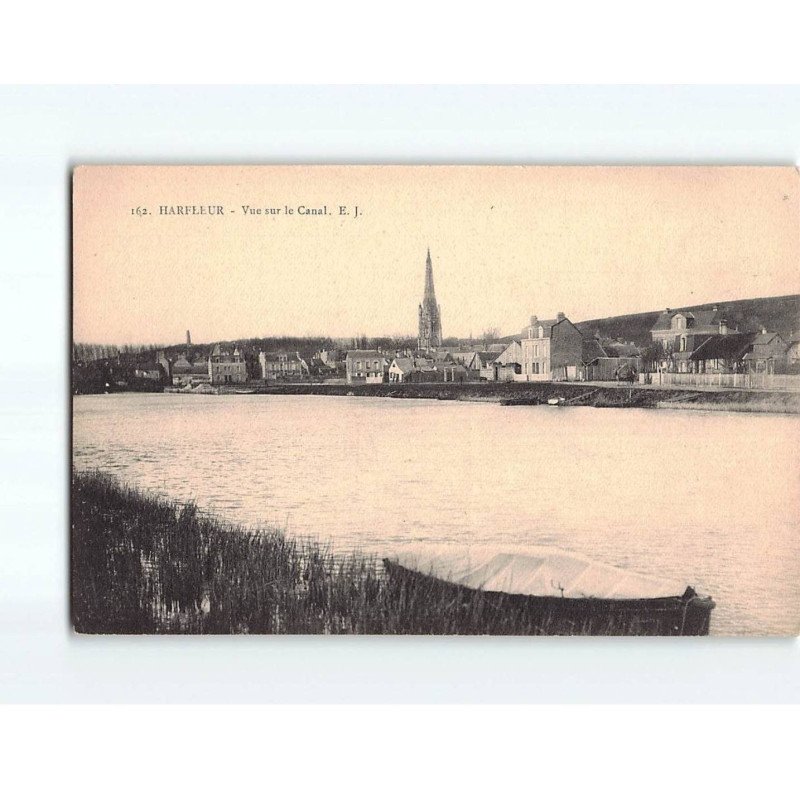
<point>709,499</point>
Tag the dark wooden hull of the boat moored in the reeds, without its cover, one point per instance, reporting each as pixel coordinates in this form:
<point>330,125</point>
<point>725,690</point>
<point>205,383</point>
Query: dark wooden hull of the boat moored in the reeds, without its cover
<point>686,615</point>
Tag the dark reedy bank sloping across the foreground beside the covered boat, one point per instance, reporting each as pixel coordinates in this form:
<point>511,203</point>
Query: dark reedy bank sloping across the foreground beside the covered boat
<point>142,564</point>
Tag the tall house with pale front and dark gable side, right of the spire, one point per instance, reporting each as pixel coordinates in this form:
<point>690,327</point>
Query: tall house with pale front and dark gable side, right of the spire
<point>552,349</point>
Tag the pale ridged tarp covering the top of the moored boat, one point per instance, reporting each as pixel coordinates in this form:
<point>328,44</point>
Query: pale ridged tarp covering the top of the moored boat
<point>546,573</point>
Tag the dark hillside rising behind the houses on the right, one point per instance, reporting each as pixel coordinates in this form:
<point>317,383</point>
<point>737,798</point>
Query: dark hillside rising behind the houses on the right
<point>781,314</point>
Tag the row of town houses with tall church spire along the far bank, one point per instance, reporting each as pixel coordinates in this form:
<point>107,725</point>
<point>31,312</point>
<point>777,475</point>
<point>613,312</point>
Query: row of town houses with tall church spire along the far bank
<point>686,347</point>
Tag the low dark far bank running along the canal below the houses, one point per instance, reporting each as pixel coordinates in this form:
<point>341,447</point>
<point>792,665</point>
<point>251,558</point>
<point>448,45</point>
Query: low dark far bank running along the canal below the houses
<point>597,395</point>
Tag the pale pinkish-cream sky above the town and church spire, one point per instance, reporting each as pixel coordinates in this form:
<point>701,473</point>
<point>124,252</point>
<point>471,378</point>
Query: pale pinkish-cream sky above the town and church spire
<point>506,242</point>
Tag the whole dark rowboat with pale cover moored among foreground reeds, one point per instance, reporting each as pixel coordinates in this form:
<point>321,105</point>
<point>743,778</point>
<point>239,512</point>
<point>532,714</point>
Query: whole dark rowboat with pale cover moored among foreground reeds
<point>553,592</point>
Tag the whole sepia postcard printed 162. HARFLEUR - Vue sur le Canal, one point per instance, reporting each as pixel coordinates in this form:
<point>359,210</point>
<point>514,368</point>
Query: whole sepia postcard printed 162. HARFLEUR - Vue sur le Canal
<point>436,400</point>
